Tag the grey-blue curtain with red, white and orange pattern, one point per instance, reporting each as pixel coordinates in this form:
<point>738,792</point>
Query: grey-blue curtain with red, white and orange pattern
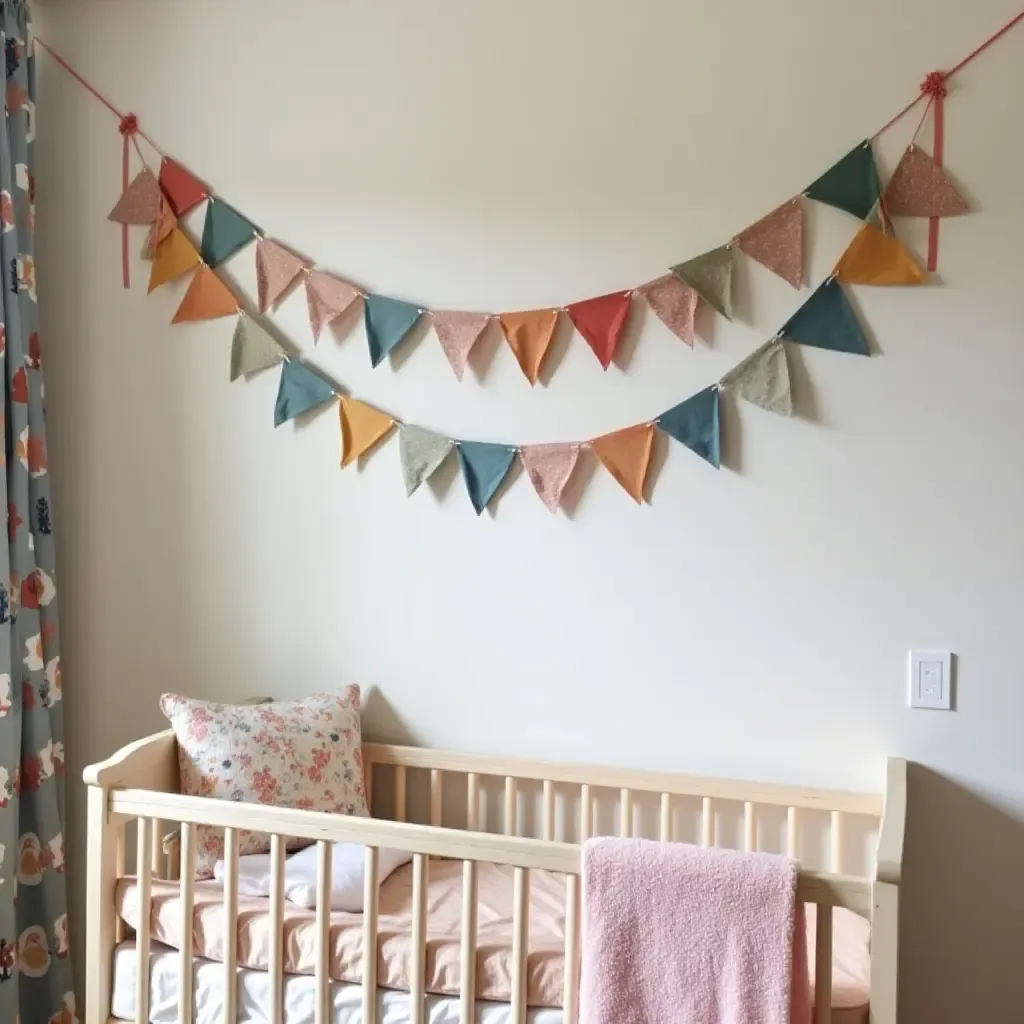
<point>36,985</point>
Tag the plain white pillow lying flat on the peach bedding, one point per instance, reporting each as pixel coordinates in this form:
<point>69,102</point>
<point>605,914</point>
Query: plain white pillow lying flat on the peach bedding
<point>348,874</point>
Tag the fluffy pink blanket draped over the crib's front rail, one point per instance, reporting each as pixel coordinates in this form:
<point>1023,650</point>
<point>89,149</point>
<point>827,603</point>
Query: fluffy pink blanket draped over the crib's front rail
<point>675,934</point>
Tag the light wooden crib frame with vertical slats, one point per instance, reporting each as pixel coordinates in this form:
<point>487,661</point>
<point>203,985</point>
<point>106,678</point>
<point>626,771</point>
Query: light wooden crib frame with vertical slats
<point>141,784</point>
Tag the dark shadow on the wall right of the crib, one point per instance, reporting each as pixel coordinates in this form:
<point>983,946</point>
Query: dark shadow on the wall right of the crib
<point>962,938</point>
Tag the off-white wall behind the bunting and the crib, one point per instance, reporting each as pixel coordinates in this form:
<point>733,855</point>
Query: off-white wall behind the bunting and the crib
<point>753,622</point>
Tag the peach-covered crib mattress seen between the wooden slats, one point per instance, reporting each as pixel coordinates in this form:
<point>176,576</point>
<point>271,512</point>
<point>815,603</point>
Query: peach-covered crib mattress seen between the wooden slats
<point>851,937</point>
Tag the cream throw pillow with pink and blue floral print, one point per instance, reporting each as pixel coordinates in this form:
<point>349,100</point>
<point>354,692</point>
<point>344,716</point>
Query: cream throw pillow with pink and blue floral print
<point>306,754</point>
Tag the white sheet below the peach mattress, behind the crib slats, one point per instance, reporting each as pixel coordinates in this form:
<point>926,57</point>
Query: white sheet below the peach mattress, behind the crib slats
<point>301,997</point>
